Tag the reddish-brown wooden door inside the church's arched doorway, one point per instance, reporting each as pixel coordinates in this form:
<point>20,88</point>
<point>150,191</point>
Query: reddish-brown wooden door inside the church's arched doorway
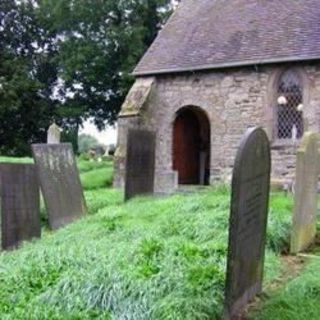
<point>186,142</point>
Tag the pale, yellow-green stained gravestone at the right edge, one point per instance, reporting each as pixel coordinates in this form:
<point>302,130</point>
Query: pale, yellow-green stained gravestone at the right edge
<point>305,207</point>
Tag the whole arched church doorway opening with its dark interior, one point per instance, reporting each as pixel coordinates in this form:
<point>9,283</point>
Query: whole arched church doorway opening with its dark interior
<point>191,146</point>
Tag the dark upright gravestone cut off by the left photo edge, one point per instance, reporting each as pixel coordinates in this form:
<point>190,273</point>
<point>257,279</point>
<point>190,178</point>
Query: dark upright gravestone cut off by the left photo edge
<point>20,204</point>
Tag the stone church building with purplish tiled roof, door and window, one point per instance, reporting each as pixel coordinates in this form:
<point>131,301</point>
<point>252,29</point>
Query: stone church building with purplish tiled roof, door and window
<point>217,68</point>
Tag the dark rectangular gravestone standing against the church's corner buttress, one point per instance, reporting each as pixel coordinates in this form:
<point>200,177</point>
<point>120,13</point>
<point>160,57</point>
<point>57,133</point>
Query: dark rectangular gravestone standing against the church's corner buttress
<point>140,163</point>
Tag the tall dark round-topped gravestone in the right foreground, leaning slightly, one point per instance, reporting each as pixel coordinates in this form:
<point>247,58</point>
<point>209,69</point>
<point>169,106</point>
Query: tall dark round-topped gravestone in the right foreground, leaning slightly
<point>248,222</point>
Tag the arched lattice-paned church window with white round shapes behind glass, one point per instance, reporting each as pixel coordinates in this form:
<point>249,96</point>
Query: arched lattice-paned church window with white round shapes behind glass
<point>289,113</point>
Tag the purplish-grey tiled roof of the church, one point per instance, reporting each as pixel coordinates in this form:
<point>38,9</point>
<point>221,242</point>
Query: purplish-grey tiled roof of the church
<point>208,34</point>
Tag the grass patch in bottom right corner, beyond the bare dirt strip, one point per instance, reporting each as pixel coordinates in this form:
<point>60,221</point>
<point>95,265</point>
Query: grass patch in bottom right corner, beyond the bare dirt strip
<point>298,300</point>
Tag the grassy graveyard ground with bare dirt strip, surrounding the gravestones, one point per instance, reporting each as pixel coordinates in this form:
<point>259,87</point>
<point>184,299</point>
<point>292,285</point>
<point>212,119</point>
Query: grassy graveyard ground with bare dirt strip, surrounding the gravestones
<point>150,258</point>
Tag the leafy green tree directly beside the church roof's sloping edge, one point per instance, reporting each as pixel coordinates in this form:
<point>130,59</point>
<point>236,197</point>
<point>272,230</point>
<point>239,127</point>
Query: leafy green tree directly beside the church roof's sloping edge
<point>99,44</point>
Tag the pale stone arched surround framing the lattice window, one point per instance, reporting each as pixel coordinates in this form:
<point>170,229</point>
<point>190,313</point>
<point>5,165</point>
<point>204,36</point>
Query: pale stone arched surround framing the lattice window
<point>272,93</point>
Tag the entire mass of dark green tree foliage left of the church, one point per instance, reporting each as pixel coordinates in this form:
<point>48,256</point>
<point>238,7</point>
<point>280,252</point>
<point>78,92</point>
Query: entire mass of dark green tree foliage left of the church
<point>68,60</point>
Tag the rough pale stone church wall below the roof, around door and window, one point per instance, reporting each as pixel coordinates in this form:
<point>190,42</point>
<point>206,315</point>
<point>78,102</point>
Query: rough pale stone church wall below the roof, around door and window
<point>233,100</point>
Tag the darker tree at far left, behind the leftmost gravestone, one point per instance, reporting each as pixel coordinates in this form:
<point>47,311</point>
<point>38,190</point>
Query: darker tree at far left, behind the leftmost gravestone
<point>26,78</point>
